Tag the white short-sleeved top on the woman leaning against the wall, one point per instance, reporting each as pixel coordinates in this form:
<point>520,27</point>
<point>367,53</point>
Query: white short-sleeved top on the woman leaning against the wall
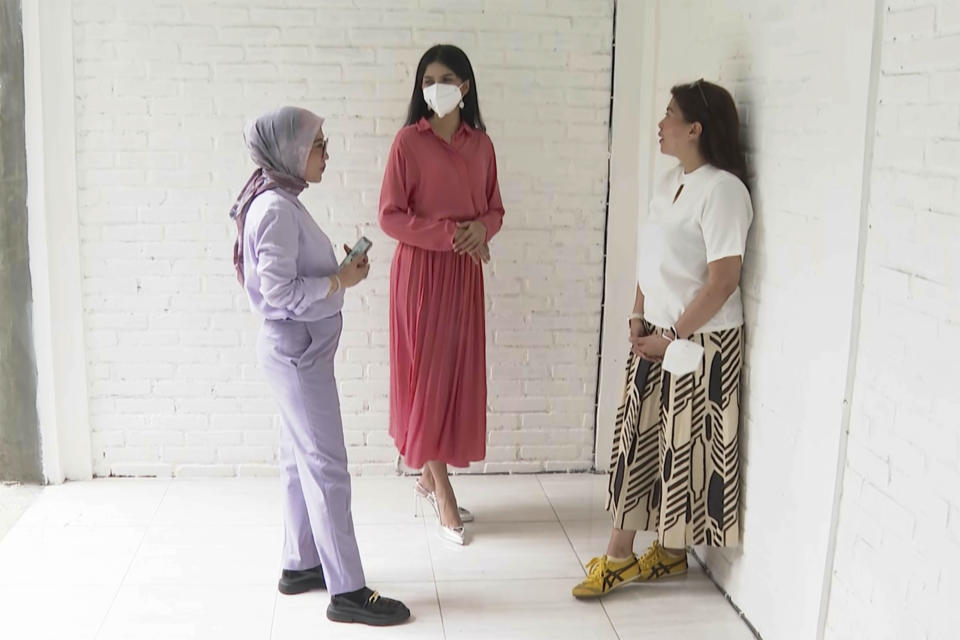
<point>709,221</point>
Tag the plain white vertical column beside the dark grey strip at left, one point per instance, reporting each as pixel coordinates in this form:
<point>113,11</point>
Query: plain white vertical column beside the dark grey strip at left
<point>54,239</point>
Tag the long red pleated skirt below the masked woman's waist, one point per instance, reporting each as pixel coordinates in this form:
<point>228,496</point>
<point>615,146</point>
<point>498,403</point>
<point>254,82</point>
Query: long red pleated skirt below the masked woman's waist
<point>438,369</point>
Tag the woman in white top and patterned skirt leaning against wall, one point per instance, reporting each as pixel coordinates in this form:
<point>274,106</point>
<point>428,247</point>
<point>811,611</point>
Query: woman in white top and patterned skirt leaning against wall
<point>675,464</point>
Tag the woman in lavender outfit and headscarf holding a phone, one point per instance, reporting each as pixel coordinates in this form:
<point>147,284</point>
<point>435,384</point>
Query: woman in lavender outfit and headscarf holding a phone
<point>289,270</point>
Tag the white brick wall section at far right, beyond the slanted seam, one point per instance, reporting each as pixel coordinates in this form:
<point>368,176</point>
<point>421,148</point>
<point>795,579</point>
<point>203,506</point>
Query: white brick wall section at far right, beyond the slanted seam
<point>898,546</point>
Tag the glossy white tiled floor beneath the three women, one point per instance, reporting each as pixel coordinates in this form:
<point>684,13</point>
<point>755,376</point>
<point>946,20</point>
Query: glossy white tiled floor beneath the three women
<point>178,559</point>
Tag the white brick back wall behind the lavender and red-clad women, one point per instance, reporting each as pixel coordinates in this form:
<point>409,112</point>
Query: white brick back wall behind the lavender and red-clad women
<point>163,89</point>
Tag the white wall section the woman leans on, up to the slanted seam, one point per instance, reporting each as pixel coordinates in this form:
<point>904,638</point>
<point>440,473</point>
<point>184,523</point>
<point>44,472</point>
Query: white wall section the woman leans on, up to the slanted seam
<point>799,72</point>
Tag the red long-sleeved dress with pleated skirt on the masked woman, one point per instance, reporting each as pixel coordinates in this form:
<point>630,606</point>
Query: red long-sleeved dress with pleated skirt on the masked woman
<point>438,380</point>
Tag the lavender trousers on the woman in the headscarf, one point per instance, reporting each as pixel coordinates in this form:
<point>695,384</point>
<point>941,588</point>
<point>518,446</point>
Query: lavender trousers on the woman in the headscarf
<point>297,358</point>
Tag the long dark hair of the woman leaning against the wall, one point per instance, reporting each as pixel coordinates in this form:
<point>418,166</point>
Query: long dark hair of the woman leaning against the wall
<point>712,106</point>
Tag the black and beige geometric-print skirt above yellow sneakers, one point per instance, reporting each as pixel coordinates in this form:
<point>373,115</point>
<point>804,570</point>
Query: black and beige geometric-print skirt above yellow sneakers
<point>676,460</point>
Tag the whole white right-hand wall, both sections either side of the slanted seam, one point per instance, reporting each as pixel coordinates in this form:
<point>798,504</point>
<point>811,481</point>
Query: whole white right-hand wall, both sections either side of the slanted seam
<point>800,73</point>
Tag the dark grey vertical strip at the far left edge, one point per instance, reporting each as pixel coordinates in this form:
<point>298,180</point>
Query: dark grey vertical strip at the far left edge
<point>19,432</point>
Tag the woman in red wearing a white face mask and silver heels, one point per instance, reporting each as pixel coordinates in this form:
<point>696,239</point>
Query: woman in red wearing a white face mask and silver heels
<point>441,201</point>
